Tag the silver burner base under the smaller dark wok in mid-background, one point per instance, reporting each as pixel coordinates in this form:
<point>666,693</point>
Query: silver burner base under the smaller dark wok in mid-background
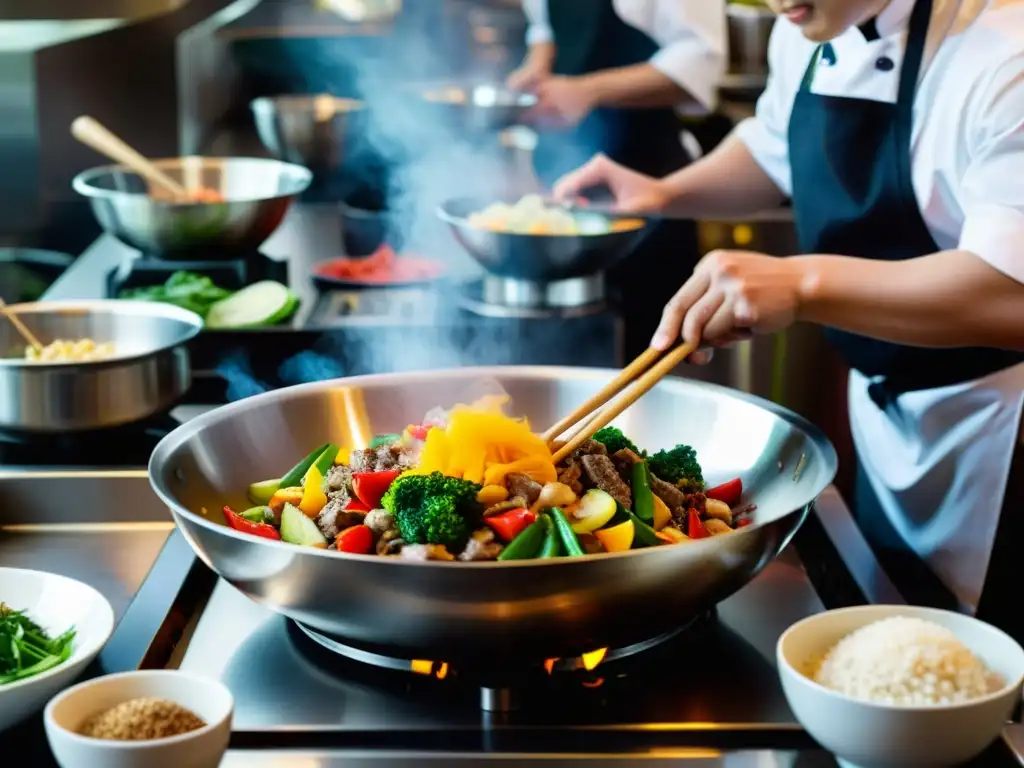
<point>508,297</point>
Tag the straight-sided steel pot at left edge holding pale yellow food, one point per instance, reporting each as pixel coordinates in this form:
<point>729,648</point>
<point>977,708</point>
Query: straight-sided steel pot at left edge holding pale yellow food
<point>149,373</point>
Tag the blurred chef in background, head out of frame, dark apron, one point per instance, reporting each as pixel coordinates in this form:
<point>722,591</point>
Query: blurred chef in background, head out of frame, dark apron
<point>617,77</point>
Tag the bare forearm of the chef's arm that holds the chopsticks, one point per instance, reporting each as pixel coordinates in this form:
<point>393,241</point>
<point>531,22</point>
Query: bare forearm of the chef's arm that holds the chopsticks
<point>951,298</point>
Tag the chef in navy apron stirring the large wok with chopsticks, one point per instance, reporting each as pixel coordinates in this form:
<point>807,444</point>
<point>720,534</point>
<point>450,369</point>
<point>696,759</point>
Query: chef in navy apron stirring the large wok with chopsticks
<point>898,130</point>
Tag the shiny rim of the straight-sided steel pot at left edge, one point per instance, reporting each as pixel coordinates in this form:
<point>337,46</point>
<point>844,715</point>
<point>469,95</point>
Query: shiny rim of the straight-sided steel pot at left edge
<point>117,307</point>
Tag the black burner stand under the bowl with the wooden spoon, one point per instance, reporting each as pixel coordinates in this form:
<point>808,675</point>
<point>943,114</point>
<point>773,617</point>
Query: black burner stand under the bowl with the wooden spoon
<point>233,274</point>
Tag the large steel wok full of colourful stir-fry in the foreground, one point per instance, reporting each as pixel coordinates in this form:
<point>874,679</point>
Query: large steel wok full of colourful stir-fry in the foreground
<point>535,604</point>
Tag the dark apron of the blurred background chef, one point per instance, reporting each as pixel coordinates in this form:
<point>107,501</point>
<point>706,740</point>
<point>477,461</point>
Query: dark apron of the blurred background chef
<point>589,37</point>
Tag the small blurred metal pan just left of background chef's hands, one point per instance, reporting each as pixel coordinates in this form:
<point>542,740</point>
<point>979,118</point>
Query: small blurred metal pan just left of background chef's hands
<point>480,108</point>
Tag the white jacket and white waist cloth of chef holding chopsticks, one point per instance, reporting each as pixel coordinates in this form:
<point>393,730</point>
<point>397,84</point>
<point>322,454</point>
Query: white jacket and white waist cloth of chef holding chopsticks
<point>938,459</point>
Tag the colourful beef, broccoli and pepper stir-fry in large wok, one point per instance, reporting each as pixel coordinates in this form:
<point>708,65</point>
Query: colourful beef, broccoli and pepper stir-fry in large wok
<point>477,485</point>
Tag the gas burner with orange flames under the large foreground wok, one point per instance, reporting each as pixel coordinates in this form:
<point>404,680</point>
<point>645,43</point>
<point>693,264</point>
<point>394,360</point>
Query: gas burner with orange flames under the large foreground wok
<point>496,697</point>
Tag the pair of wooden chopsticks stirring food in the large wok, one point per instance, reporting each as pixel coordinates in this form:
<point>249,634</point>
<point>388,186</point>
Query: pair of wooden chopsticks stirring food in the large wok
<point>644,374</point>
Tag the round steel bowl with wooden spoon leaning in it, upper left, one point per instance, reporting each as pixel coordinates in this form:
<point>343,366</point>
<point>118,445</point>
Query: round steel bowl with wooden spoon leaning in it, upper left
<point>258,195</point>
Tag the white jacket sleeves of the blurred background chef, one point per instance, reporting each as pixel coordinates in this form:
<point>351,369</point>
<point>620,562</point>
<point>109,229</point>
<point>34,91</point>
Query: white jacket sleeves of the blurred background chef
<point>693,35</point>
